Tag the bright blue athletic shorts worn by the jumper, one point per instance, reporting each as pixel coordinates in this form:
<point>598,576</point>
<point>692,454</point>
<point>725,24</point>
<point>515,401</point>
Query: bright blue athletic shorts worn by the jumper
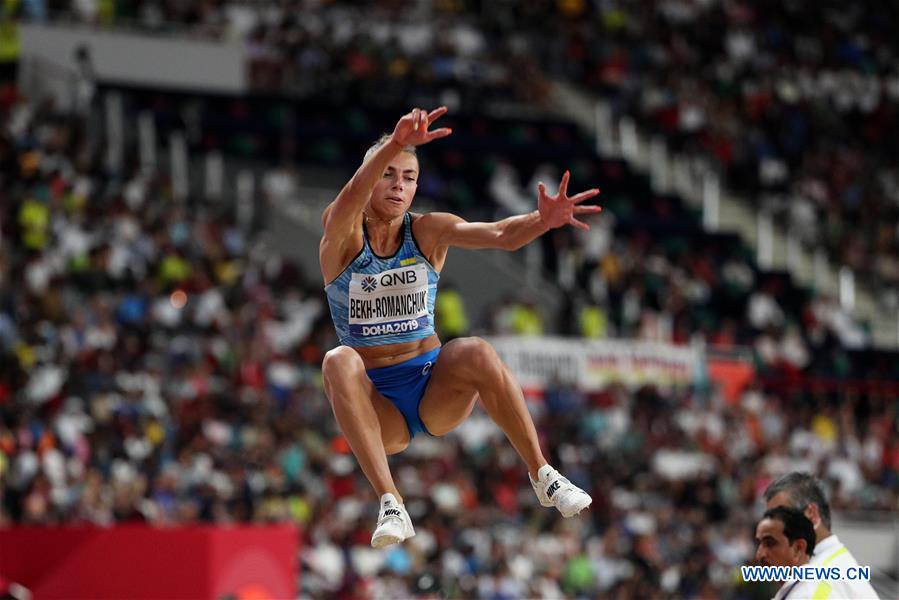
<point>404,385</point>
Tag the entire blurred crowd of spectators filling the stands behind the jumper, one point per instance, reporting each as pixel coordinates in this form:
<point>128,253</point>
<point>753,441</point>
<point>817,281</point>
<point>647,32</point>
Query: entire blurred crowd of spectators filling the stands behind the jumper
<point>161,363</point>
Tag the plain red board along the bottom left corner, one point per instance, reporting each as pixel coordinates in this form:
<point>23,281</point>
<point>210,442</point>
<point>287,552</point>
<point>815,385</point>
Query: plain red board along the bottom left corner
<point>138,561</point>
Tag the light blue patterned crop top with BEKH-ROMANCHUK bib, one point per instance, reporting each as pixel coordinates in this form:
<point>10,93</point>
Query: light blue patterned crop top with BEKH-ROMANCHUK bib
<point>380,300</point>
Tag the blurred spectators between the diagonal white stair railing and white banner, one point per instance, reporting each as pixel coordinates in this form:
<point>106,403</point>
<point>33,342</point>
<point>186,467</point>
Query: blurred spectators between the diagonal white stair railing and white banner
<point>647,271</point>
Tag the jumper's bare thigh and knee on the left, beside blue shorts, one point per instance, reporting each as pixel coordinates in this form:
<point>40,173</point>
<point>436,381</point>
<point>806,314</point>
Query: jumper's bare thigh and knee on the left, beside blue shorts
<point>349,378</point>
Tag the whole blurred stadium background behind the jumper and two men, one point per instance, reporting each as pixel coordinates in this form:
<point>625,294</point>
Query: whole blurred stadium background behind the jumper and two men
<point>731,315</point>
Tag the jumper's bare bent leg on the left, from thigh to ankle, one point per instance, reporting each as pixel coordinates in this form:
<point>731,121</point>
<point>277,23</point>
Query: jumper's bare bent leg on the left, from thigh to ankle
<point>373,427</point>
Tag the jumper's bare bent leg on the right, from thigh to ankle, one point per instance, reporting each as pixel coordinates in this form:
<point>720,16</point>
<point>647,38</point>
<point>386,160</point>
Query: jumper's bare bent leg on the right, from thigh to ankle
<point>468,368</point>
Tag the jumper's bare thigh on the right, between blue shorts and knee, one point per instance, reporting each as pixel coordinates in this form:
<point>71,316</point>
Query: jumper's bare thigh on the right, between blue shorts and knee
<point>450,395</point>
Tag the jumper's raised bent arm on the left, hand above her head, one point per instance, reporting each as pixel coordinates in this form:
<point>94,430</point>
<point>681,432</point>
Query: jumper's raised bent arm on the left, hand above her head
<point>342,215</point>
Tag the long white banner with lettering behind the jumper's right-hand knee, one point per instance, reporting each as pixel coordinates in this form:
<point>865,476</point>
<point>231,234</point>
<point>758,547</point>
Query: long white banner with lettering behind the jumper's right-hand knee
<point>594,364</point>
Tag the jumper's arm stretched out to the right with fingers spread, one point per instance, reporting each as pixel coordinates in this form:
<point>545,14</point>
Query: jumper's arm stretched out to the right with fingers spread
<point>514,232</point>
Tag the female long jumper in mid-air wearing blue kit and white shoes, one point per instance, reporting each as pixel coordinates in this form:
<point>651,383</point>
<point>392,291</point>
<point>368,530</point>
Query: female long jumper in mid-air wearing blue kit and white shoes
<point>390,378</point>
